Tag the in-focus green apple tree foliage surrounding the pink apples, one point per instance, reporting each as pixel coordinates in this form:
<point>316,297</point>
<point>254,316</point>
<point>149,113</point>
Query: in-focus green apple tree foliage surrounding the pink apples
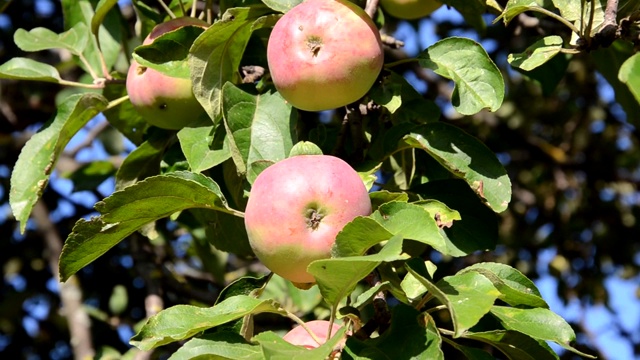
<point>436,189</point>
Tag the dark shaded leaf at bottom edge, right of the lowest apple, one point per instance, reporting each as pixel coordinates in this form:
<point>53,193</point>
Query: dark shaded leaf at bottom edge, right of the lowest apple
<point>406,335</point>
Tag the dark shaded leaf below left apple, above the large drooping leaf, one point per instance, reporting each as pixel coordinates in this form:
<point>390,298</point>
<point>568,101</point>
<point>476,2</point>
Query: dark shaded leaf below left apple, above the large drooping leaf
<point>143,161</point>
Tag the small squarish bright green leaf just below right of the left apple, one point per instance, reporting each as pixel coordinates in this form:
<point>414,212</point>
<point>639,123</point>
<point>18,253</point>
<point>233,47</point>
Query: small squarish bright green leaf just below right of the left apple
<point>204,146</point>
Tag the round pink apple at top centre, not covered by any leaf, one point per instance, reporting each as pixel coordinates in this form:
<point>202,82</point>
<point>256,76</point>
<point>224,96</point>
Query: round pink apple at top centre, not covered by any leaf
<point>324,54</point>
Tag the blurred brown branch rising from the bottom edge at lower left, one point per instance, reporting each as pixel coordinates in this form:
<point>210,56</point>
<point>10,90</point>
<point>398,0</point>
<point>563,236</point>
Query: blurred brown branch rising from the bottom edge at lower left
<point>70,292</point>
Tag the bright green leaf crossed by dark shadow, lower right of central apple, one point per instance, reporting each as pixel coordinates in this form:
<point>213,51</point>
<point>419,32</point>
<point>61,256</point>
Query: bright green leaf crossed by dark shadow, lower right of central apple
<point>468,296</point>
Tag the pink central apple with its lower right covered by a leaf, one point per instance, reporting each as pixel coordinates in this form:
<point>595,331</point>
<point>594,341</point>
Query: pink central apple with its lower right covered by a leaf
<point>296,208</point>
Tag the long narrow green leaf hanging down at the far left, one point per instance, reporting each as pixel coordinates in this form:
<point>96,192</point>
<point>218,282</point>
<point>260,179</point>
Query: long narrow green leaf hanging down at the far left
<point>40,154</point>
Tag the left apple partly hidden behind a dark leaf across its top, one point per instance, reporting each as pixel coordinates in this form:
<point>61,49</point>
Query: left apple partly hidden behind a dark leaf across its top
<point>164,101</point>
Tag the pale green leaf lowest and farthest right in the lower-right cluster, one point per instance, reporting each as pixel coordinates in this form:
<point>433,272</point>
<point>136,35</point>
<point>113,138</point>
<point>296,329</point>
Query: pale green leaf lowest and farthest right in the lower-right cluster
<point>539,323</point>
